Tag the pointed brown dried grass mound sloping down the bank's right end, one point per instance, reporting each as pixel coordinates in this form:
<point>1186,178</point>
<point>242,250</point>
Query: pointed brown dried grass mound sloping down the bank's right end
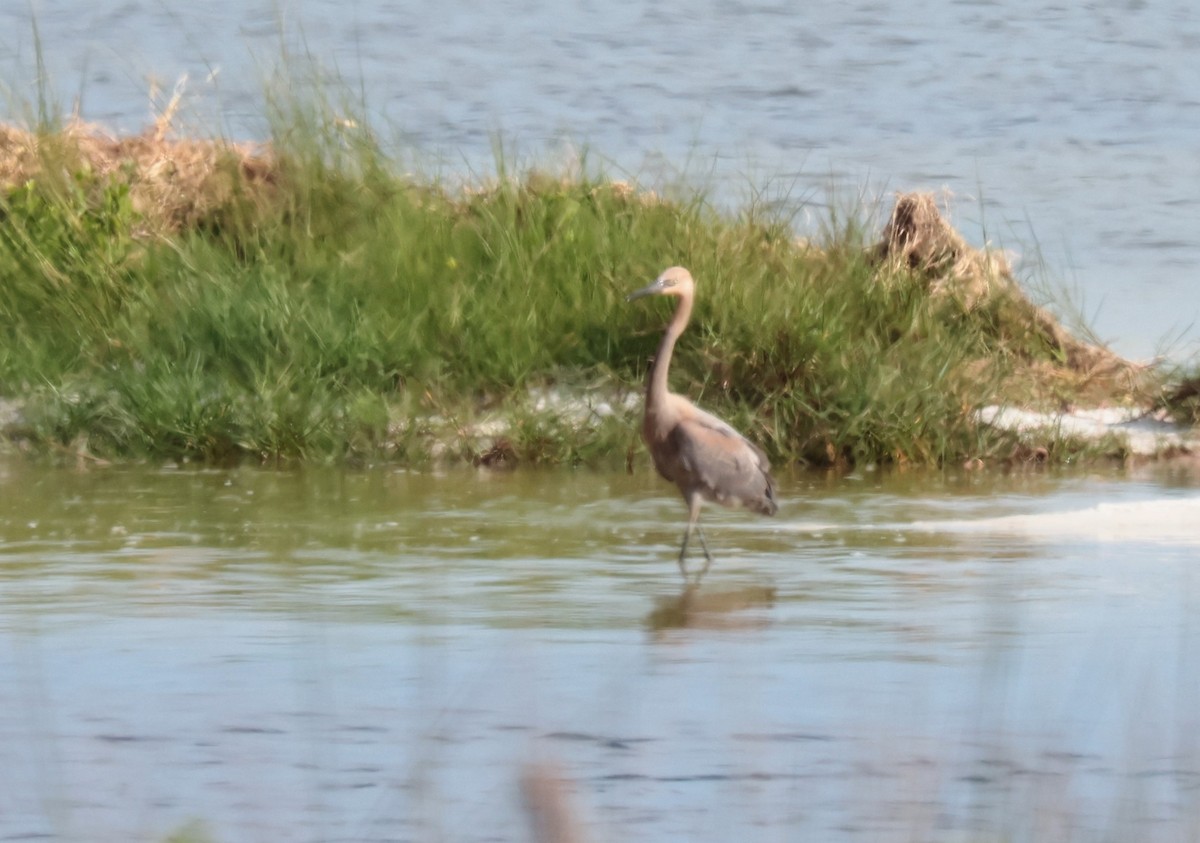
<point>920,240</point>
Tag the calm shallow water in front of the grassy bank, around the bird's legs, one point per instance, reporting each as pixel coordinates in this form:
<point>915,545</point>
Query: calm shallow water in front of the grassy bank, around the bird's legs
<point>376,655</point>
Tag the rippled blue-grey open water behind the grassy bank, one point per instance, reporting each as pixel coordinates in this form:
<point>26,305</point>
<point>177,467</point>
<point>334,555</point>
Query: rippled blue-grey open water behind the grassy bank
<point>1066,131</point>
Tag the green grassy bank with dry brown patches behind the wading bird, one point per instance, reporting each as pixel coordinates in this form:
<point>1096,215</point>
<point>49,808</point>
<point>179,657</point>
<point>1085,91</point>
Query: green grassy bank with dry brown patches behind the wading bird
<point>310,298</point>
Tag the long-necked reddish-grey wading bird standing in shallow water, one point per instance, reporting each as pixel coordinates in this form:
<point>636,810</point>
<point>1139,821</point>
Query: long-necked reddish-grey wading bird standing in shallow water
<point>698,452</point>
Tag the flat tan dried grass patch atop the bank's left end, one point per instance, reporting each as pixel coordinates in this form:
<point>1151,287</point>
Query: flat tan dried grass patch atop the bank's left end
<point>175,183</point>
